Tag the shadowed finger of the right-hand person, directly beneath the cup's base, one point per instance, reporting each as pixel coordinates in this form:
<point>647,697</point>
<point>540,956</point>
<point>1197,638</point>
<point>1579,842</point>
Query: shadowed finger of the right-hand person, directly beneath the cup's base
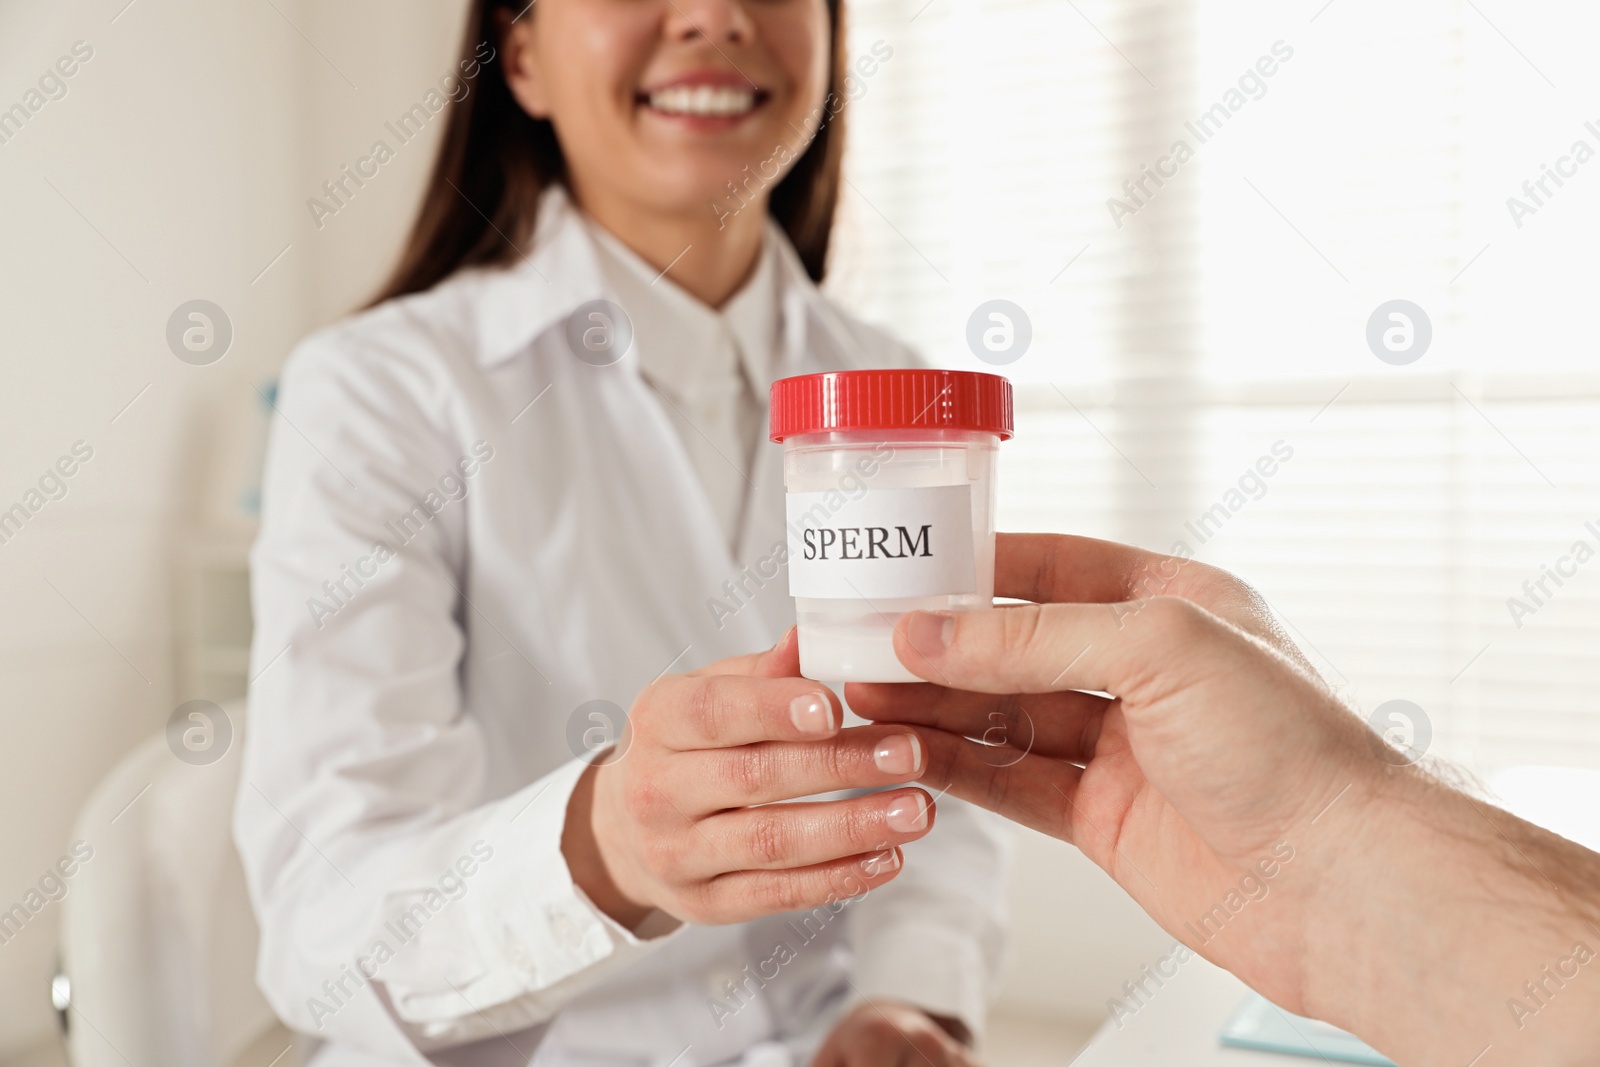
<point>1060,725</point>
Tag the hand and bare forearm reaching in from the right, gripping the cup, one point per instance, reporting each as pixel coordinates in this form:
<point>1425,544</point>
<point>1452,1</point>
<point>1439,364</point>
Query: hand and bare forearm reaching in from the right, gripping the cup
<point>1172,733</point>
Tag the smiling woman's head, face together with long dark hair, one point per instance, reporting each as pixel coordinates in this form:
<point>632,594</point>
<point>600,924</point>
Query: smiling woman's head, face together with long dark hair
<point>503,148</point>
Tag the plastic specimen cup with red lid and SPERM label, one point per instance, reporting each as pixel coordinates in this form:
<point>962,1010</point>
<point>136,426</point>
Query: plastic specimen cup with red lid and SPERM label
<point>890,494</point>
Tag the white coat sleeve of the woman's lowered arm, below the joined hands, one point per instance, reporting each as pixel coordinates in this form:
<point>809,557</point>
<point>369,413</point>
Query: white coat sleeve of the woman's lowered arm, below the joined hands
<point>935,937</point>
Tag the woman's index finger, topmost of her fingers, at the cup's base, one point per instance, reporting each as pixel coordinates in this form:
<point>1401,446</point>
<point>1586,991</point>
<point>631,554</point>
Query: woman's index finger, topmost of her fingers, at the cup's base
<point>692,713</point>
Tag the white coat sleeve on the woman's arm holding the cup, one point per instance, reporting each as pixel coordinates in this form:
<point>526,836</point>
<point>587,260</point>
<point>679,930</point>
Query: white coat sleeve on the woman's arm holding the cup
<point>399,909</point>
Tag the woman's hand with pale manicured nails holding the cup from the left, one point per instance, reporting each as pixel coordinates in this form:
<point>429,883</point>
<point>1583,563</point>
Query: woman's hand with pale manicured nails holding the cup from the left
<point>689,818</point>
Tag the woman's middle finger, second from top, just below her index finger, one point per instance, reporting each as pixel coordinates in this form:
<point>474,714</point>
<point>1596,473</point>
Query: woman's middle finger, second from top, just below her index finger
<point>862,757</point>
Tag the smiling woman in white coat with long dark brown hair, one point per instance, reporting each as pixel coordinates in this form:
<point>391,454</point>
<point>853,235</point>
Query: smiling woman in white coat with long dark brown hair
<point>518,497</point>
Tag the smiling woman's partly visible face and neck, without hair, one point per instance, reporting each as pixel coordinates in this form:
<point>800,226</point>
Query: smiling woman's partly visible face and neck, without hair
<point>662,106</point>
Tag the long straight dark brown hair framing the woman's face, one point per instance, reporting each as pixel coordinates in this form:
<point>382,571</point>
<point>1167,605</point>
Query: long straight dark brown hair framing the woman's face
<point>497,159</point>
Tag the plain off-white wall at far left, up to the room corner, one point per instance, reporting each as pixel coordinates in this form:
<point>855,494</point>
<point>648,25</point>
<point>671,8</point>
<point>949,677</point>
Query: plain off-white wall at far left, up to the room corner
<point>172,145</point>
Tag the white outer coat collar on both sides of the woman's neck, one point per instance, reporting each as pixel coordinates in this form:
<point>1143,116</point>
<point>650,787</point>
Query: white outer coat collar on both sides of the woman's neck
<point>562,271</point>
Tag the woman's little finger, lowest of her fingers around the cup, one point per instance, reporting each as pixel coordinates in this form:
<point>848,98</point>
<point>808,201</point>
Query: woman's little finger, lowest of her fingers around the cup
<point>743,895</point>
